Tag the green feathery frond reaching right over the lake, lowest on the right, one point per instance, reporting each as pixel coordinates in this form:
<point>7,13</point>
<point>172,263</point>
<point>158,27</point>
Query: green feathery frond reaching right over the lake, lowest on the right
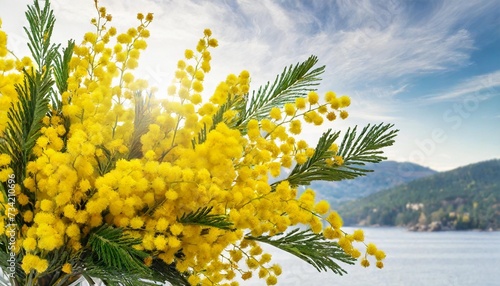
<point>311,247</point>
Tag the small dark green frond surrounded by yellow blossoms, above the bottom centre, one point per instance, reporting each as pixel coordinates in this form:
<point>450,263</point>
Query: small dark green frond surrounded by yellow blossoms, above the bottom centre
<point>203,217</point>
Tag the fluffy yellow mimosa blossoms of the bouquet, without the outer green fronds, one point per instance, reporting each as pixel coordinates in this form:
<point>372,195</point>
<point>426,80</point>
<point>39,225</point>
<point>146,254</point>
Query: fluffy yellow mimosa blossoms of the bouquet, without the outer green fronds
<point>196,180</point>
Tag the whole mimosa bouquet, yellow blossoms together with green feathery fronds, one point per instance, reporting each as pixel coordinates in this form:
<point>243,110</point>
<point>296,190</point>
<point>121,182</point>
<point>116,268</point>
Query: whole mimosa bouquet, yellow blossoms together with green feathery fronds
<point>103,177</point>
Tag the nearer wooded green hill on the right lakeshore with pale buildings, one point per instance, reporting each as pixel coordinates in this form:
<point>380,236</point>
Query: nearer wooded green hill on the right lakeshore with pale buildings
<point>464,198</point>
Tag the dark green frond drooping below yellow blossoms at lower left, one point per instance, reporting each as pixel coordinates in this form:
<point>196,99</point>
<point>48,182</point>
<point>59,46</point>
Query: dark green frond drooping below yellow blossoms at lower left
<point>112,249</point>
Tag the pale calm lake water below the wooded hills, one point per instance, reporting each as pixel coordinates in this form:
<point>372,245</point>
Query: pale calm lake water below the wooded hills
<point>413,259</point>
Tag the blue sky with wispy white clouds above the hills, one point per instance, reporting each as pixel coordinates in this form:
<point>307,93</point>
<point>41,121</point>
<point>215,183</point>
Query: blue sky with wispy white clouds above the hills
<point>430,67</point>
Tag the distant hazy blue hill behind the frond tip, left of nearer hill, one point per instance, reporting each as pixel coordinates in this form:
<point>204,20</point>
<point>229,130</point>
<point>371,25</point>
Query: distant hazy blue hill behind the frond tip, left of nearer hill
<point>386,174</point>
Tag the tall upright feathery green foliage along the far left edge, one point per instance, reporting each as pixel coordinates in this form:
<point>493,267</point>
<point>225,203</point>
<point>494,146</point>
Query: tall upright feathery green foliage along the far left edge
<point>25,119</point>
